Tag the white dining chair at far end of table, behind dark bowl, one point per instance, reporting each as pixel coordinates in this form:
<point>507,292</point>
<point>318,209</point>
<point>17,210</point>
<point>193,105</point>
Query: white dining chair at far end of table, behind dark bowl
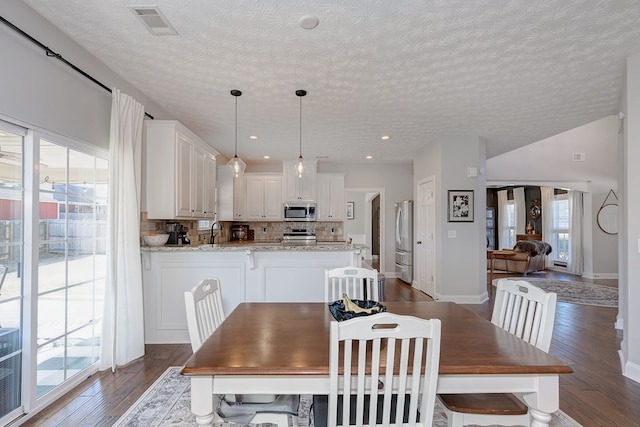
<point>356,282</point>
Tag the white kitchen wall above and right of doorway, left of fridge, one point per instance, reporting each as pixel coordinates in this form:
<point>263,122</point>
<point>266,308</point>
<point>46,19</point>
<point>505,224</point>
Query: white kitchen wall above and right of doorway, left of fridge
<point>396,180</point>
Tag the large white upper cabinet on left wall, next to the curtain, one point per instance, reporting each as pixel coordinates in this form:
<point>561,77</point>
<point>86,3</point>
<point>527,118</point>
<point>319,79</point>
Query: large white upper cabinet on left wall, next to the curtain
<point>180,172</point>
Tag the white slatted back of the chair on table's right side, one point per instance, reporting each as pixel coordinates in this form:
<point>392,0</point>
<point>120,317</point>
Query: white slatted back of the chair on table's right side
<point>526,311</point>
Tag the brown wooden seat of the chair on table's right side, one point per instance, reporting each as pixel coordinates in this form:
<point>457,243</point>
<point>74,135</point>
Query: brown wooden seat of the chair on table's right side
<point>484,403</point>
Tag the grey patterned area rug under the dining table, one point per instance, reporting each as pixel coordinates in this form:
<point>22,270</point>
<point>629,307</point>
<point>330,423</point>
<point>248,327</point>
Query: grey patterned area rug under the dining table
<point>167,403</point>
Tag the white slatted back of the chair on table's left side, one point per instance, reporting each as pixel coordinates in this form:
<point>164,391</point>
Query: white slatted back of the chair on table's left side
<point>203,304</point>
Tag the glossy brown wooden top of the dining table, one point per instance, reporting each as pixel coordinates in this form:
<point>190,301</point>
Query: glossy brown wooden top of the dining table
<point>293,339</point>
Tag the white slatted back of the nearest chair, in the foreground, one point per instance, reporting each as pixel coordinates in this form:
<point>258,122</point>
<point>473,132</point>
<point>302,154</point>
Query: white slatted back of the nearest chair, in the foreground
<point>388,362</point>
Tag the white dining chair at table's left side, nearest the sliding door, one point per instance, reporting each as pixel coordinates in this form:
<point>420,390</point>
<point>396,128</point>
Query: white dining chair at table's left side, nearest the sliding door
<point>205,312</point>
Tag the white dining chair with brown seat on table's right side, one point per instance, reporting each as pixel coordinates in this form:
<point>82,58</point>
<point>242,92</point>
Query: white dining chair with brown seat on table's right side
<point>529,313</point>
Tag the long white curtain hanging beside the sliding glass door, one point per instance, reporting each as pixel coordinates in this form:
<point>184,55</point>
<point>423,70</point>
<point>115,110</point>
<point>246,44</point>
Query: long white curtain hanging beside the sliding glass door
<point>123,327</point>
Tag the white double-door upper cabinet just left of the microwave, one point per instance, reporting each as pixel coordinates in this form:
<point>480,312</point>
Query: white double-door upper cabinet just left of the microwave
<point>263,197</point>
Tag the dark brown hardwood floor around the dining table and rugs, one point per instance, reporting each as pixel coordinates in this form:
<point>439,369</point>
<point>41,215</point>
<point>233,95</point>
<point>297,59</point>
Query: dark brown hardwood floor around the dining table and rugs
<point>596,394</point>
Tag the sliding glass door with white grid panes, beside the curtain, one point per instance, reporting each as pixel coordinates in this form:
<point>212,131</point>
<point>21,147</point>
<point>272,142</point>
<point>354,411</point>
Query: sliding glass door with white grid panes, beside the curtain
<point>53,228</point>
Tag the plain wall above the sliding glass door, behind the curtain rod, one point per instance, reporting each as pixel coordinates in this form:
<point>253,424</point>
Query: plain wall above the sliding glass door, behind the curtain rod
<point>46,93</point>
